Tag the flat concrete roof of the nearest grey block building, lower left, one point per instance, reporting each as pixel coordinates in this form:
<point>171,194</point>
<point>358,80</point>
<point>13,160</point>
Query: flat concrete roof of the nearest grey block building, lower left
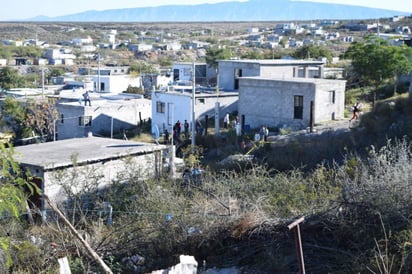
<point>59,154</point>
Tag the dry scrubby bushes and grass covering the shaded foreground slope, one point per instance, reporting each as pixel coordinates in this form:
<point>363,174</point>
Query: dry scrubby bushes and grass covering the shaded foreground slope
<point>356,209</point>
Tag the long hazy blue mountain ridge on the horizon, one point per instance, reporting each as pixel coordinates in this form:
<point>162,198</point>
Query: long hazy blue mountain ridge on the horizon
<point>252,10</point>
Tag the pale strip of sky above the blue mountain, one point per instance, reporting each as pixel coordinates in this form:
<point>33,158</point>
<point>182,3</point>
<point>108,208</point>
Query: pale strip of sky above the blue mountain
<point>23,9</point>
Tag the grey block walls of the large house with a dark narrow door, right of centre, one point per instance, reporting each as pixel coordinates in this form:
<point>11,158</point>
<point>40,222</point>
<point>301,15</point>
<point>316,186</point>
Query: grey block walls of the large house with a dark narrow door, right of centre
<point>271,102</point>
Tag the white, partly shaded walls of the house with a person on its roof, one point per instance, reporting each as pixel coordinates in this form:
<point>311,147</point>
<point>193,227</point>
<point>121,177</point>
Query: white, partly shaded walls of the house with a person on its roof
<point>106,116</point>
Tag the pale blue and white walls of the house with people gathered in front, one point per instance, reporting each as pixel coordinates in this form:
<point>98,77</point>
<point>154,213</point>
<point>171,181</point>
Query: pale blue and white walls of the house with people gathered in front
<point>182,103</point>
